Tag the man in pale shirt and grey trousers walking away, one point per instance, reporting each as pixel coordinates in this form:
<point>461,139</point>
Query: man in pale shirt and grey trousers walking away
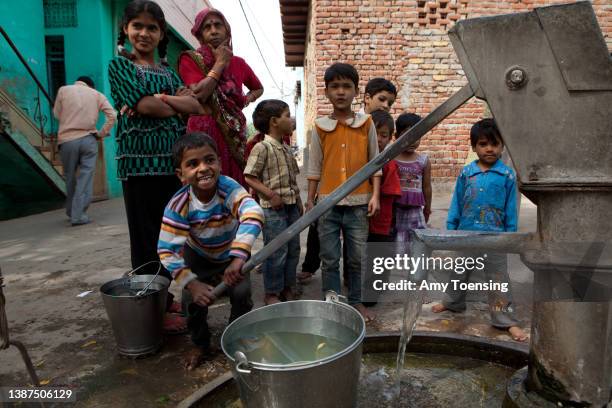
<point>77,107</point>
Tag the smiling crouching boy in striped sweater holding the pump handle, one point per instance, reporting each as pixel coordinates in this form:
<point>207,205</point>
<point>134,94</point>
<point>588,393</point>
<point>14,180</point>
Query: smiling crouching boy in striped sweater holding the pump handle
<point>207,232</point>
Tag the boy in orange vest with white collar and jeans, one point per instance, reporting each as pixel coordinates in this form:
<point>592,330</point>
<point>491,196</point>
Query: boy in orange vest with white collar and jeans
<point>341,144</point>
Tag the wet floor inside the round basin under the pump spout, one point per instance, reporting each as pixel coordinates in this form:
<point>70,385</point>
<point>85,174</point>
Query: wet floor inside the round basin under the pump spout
<point>426,381</point>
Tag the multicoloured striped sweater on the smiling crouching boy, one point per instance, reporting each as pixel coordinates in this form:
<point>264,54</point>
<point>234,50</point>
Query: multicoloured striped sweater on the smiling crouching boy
<point>223,228</point>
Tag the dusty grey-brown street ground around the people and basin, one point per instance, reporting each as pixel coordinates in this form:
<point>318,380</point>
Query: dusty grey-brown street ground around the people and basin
<point>46,263</point>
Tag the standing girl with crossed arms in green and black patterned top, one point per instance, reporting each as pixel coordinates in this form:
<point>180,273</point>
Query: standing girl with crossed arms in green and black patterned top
<point>150,97</point>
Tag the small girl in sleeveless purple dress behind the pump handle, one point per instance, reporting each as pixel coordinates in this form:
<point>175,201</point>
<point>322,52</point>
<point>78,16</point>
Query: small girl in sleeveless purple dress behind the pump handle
<point>413,208</point>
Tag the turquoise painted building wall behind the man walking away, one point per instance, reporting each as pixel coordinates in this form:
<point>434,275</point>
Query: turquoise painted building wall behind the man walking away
<point>88,48</point>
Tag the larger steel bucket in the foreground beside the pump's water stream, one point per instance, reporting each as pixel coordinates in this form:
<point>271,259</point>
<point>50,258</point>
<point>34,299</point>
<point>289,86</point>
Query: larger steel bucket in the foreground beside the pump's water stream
<point>328,382</point>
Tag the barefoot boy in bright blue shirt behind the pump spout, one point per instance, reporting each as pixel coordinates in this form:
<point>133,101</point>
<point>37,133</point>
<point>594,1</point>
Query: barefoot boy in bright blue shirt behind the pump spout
<point>485,200</point>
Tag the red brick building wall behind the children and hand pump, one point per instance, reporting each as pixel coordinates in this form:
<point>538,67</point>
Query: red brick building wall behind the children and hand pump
<point>407,43</point>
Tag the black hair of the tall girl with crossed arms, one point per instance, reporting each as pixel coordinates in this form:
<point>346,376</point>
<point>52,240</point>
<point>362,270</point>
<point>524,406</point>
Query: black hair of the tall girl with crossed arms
<point>133,9</point>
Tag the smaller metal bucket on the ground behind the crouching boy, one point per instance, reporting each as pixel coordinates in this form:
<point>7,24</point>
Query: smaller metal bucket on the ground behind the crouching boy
<point>137,320</point>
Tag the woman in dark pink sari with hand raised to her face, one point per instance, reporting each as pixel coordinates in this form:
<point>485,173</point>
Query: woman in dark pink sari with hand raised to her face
<point>216,76</point>
